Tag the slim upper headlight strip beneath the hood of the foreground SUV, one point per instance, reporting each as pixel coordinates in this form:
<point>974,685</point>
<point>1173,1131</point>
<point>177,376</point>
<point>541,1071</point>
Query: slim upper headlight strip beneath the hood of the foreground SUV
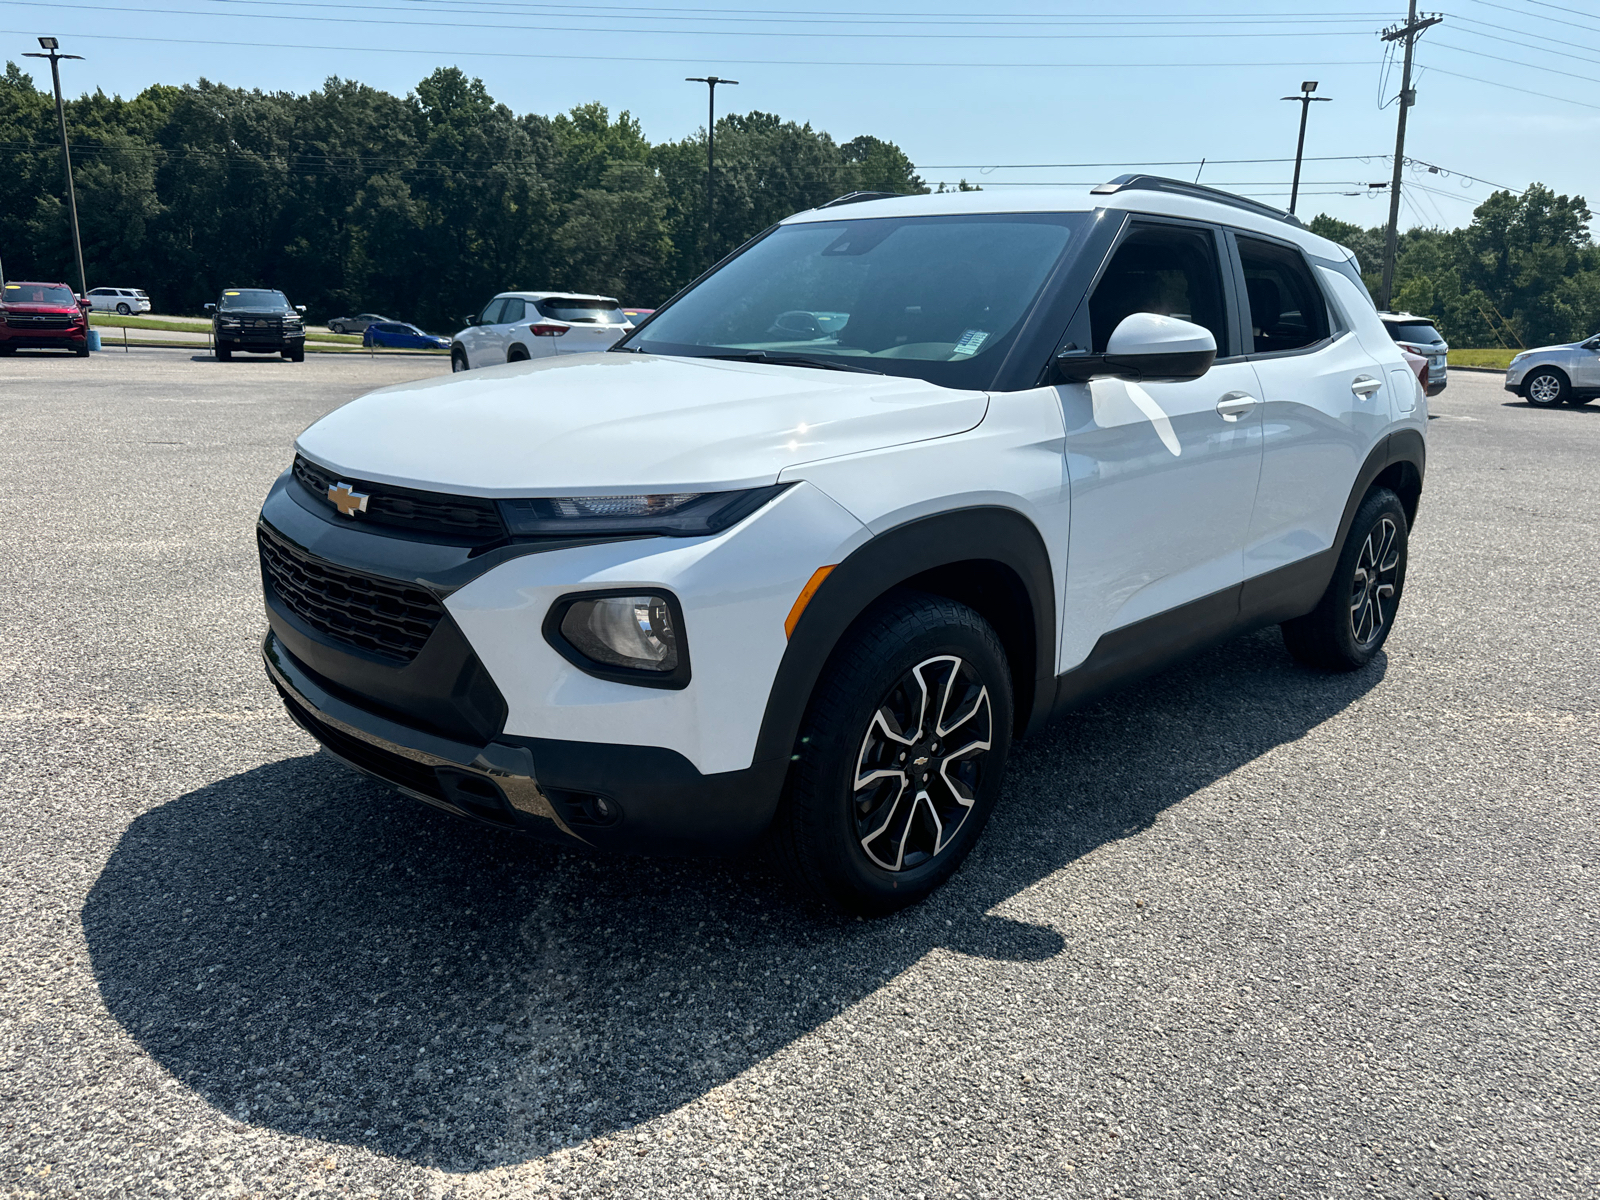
<point>681,514</point>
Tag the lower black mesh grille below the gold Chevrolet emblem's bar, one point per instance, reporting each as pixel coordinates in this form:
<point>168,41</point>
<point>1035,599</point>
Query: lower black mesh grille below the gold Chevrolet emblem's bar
<point>382,617</point>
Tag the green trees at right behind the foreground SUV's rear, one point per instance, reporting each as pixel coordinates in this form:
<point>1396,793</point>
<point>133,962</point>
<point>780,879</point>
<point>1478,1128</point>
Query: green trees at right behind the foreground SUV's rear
<point>1524,273</point>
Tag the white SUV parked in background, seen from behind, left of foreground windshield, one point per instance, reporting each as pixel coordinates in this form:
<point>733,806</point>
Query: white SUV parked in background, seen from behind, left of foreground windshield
<point>519,326</point>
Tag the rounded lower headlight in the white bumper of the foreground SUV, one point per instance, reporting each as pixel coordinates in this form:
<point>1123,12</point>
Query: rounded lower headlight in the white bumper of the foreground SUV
<point>628,638</point>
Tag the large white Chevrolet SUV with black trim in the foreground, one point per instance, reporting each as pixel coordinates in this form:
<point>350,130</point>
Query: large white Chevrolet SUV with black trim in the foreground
<point>897,484</point>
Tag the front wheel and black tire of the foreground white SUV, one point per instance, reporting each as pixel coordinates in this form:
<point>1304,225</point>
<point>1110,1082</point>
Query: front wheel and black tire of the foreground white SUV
<point>878,847</point>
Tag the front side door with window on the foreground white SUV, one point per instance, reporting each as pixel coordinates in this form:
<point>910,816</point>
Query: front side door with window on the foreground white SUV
<point>1164,474</point>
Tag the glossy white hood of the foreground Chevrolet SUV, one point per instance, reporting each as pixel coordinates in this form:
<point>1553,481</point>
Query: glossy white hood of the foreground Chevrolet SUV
<point>618,423</point>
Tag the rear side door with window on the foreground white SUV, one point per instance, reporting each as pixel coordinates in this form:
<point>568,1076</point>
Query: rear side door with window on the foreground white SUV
<point>1326,404</point>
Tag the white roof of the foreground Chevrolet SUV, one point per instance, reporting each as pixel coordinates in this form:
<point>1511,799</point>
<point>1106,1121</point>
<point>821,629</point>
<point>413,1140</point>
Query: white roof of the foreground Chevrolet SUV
<point>1073,199</point>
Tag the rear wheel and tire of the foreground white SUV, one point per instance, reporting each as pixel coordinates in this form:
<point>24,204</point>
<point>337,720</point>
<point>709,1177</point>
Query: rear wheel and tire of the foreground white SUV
<point>1354,617</point>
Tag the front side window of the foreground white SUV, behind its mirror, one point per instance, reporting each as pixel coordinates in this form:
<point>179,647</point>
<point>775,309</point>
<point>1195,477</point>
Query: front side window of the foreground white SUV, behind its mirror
<point>1166,270</point>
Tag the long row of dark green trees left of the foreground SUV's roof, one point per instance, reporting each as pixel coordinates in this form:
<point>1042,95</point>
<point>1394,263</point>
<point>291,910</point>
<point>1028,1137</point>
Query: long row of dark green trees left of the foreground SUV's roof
<point>422,207</point>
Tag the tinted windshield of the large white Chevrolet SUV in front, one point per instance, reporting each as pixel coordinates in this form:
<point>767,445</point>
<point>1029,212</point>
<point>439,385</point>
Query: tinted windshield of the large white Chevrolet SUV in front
<point>922,297</point>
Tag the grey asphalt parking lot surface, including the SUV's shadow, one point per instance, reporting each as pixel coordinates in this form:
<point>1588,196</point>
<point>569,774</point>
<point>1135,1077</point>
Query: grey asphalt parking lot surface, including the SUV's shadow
<point>1241,930</point>
